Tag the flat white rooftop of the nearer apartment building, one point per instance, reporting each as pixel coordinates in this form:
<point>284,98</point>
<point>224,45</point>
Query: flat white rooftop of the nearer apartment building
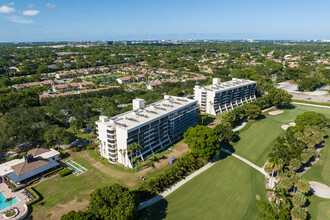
<point>135,118</point>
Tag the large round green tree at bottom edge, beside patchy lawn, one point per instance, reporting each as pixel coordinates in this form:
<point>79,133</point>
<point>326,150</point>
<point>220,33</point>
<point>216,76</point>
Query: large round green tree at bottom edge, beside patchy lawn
<point>110,202</point>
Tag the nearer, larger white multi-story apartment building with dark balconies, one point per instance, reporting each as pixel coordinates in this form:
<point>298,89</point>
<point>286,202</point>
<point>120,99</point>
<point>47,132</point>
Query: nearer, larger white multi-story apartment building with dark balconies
<point>154,127</point>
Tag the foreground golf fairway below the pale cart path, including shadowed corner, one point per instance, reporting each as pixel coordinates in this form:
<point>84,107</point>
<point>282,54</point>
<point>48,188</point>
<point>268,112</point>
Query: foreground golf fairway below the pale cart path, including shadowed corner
<point>228,190</point>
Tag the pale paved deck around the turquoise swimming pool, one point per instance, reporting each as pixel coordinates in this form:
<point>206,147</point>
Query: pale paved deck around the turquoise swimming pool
<point>7,192</point>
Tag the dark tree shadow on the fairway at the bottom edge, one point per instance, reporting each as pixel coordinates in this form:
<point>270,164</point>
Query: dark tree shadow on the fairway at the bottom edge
<point>156,211</point>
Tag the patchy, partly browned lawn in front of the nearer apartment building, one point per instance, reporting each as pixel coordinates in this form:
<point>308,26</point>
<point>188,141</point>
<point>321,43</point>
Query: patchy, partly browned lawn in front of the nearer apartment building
<point>62,194</point>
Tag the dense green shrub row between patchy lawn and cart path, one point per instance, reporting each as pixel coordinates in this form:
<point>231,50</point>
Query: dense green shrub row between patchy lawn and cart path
<point>168,176</point>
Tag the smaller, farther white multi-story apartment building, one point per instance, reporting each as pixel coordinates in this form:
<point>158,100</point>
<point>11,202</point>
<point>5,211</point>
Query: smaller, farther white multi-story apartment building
<point>221,97</point>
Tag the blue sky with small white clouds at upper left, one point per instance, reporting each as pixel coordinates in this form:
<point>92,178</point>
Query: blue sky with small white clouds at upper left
<point>75,20</point>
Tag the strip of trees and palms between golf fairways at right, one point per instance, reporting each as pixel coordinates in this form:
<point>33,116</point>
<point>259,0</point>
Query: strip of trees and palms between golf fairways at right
<point>291,152</point>
